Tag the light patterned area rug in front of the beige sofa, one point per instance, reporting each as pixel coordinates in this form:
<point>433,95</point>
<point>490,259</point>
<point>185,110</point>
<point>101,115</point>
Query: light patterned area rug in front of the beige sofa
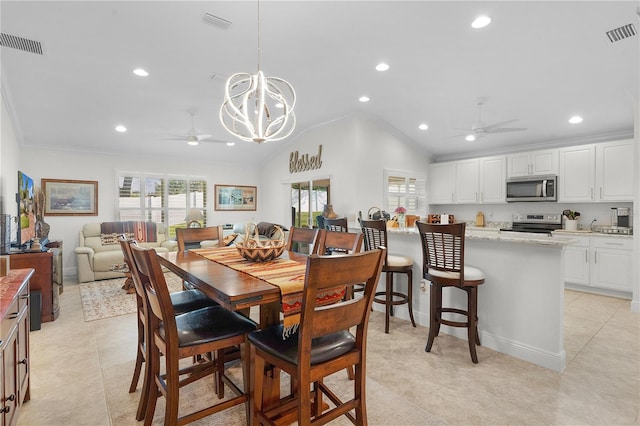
<point>106,298</point>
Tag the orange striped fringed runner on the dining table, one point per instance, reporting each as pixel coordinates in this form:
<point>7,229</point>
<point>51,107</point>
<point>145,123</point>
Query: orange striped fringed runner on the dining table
<point>288,275</point>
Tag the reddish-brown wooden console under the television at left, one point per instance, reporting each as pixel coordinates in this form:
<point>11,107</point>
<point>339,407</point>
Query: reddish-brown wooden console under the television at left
<point>42,280</point>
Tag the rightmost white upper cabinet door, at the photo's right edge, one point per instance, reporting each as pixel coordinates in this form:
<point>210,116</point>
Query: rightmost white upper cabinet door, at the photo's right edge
<point>614,171</point>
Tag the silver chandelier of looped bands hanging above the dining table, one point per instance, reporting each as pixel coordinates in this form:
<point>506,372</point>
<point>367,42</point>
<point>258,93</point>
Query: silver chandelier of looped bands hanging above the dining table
<point>258,108</point>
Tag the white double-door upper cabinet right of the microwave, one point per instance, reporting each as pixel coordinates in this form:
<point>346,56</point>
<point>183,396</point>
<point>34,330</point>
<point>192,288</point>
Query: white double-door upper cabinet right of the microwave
<point>596,172</point>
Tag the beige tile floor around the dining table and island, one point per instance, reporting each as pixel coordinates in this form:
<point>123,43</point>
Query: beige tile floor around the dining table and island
<point>601,385</point>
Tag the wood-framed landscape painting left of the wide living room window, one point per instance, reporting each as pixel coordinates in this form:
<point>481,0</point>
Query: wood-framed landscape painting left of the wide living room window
<point>70,197</point>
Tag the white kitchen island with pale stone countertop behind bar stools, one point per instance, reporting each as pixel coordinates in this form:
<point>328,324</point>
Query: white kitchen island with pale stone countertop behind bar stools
<point>521,303</point>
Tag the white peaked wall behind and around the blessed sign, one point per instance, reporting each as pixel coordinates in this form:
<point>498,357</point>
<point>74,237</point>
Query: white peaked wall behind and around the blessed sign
<point>355,150</point>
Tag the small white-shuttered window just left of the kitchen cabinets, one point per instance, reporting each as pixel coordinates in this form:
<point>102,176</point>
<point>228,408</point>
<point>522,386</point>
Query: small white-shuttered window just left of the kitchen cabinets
<point>405,189</point>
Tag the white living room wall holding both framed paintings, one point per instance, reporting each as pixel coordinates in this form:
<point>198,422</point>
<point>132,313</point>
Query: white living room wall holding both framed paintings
<point>103,168</point>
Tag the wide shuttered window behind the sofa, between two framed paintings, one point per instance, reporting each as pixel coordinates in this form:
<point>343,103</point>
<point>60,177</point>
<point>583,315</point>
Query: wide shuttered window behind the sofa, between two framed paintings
<point>160,199</point>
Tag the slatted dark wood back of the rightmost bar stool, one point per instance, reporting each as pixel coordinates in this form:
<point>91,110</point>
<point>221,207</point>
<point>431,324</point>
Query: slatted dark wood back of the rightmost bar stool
<point>443,250</point>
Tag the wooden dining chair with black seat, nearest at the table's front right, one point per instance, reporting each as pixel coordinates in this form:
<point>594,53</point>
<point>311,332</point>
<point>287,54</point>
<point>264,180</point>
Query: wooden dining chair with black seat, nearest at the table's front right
<point>322,345</point>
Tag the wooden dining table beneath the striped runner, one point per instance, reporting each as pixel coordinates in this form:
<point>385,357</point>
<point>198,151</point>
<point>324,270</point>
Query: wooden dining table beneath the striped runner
<point>236,291</point>
